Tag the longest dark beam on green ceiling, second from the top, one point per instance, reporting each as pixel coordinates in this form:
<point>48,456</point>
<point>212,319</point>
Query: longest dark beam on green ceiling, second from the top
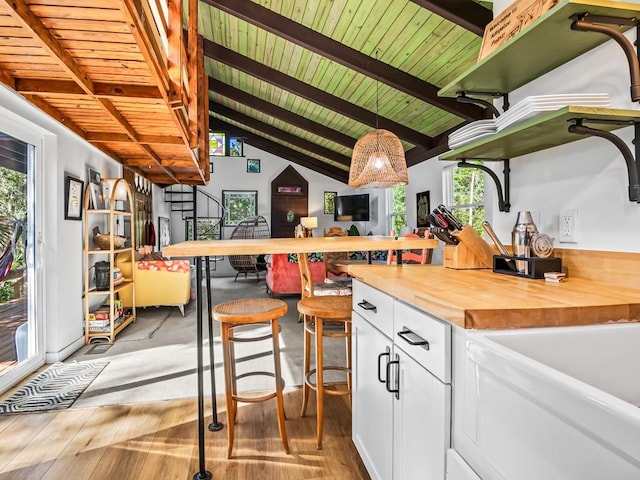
<point>325,46</point>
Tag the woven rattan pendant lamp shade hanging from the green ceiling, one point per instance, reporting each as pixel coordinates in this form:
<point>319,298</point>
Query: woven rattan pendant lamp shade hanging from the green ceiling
<point>378,161</point>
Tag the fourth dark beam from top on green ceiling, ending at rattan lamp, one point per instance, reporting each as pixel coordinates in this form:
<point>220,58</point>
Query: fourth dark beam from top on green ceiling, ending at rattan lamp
<point>281,113</point>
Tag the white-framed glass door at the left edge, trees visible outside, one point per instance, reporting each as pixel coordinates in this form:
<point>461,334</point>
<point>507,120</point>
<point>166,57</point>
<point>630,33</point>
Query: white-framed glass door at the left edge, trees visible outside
<point>21,325</point>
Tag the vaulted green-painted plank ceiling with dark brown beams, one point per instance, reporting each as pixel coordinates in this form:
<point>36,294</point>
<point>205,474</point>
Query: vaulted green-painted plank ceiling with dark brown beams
<point>304,79</point>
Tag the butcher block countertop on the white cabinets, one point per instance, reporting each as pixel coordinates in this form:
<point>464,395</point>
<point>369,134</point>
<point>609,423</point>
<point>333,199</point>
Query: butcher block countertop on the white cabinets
<point>481,299</point>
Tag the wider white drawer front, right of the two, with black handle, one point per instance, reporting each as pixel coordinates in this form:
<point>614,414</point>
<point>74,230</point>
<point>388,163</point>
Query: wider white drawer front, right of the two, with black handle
<point>417,327</point>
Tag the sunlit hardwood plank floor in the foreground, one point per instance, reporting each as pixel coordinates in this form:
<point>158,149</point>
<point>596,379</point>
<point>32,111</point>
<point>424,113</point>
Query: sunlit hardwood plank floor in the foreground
<point>159,441</point>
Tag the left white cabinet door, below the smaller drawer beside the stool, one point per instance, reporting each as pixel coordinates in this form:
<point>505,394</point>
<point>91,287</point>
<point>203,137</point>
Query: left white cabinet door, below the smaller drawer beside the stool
<point>372,404</point>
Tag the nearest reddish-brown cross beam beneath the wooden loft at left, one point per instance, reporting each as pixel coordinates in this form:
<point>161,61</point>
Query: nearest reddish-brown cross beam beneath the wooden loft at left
<point>69,88</point>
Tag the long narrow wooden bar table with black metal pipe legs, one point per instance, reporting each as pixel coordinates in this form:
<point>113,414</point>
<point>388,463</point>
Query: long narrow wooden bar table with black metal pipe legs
<point>202,250</point>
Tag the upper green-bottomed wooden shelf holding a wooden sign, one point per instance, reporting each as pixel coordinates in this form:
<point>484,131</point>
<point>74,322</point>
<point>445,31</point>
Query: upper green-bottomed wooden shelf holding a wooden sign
<point>544,45</point>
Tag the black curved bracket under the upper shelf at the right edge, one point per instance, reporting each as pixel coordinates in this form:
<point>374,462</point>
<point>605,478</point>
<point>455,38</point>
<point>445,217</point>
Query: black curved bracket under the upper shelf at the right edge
<point>585,22</point>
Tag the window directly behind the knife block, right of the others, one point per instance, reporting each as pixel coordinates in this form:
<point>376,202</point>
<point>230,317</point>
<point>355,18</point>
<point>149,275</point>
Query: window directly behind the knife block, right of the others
<point>464,195</point>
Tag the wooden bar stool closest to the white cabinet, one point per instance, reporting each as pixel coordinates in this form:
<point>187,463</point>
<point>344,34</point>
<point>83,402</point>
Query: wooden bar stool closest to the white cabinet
<point>318,312</point>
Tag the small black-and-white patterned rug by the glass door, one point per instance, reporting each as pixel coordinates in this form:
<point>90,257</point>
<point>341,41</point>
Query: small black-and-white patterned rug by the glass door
<point>56,388</point>
